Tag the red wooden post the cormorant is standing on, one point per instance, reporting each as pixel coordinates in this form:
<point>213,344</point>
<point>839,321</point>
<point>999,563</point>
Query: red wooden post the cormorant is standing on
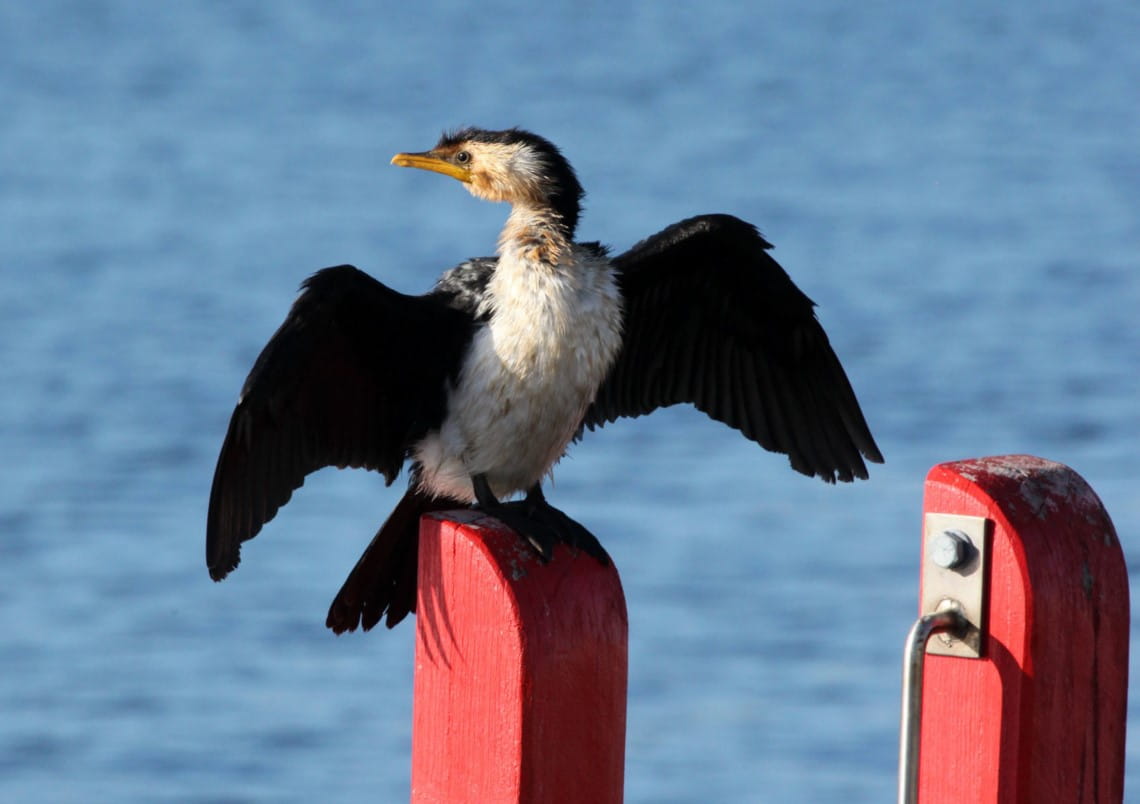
<point>520,687</point>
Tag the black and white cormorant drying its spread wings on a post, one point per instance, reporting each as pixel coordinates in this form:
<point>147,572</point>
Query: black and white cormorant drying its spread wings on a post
<point>484,381</point>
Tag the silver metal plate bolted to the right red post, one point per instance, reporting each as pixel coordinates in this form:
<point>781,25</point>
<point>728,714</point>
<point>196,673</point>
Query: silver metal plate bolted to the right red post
<point>962,586</point>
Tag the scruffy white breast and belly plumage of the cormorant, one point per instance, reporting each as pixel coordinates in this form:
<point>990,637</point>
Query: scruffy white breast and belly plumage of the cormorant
<point>530,378</point>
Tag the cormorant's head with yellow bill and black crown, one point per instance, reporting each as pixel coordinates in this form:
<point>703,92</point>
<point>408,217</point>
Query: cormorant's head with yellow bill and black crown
<point>512,166</point>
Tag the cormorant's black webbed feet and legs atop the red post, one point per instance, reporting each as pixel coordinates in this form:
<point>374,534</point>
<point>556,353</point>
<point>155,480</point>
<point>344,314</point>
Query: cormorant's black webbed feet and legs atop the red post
<point>542,525</point>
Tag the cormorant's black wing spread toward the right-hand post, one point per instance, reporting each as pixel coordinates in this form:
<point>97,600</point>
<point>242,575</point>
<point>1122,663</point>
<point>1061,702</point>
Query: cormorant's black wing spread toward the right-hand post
<point>712,320</point>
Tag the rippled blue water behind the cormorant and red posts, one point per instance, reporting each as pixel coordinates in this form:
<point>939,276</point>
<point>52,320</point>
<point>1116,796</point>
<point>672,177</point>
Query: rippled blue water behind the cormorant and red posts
<point>957,184</point>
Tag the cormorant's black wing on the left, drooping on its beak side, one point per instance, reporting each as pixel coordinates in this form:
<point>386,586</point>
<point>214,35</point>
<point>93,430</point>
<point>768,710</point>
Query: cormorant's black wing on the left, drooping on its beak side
<point>354,378</point>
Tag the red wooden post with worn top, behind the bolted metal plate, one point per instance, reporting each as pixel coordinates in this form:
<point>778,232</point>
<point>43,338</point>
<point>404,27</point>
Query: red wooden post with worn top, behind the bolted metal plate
<point>1040,718</point>
